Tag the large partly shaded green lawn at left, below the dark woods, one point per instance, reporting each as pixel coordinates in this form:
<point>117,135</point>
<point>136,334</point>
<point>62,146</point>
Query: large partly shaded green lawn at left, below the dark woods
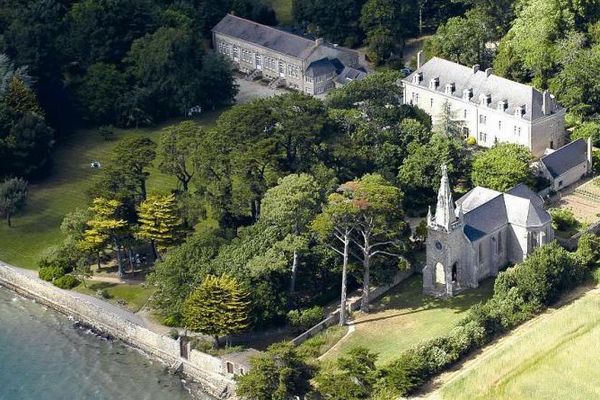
<point>37,227</point>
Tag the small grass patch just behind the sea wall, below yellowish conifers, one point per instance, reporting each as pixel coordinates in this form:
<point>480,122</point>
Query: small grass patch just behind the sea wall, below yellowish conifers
<point>134,296</point>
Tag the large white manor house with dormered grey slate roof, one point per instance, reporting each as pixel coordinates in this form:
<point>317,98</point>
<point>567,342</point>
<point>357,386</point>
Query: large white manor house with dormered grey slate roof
<point>491,108</point>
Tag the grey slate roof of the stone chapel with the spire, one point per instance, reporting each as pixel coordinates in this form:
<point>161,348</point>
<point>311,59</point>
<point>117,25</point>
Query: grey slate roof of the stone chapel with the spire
<point>486,210</point>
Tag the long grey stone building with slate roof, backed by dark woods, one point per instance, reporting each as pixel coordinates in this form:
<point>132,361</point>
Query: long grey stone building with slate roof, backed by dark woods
<point>311,66</point>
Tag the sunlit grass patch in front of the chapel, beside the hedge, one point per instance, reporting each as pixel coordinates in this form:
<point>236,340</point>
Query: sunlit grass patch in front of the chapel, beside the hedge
<point>405,317</point>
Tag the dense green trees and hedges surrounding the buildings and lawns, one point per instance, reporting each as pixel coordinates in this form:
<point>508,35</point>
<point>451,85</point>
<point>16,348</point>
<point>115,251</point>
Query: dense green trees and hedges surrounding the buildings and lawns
<point>283,196</point>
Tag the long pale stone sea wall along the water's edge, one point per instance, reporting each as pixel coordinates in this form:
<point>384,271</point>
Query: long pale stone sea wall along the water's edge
<point>204,369</point>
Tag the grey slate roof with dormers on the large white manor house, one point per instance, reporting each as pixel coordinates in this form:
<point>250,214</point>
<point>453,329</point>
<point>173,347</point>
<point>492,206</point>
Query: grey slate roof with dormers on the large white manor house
<point>516,94</point>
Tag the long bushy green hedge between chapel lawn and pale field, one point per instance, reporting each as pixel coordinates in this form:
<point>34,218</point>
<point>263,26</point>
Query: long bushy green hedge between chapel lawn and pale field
<point>520,293</point>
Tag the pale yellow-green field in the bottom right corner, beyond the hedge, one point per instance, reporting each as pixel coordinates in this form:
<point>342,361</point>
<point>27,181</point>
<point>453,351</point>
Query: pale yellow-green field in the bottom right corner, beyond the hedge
<point>553,357</point>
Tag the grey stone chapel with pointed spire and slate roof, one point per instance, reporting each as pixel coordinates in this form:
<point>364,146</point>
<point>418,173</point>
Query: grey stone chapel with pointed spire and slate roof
<point>485,231</point>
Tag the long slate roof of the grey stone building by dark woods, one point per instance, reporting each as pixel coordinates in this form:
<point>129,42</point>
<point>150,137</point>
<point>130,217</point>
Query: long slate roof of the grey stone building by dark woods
<point>265,36</point>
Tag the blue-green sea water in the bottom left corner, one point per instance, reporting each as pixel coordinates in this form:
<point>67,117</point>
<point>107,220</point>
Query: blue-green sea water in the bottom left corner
<point>44,357</point>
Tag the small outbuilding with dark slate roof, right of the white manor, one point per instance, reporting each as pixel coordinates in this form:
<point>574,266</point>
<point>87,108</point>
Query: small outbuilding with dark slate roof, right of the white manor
<point>567,165</point>
